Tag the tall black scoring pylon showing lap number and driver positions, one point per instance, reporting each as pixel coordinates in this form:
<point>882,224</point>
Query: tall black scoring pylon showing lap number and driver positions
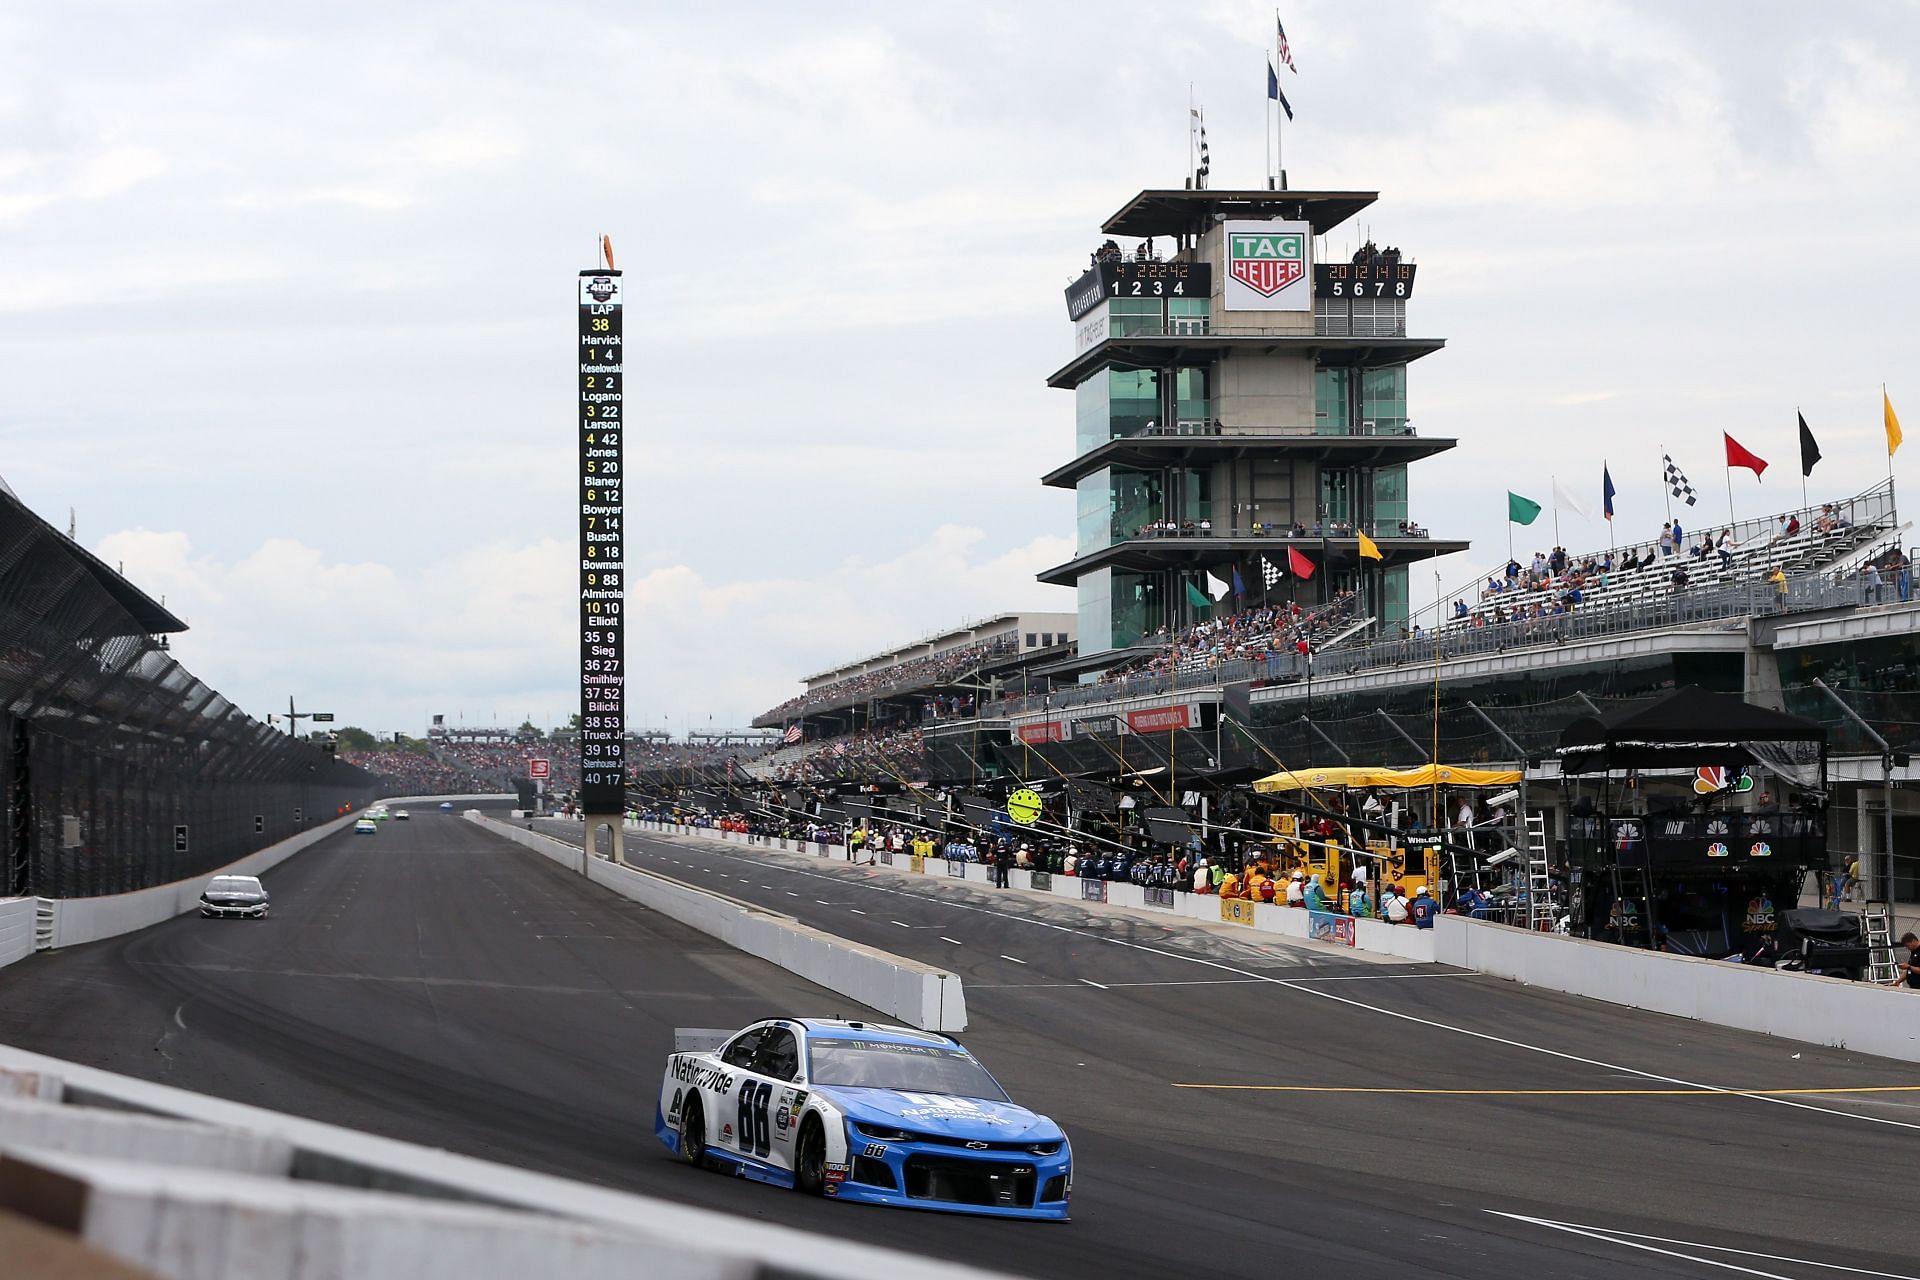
<point>602,565</point>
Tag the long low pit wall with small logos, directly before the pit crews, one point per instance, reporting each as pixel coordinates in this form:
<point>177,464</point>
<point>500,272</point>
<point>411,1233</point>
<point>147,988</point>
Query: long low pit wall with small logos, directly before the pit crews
<point>1370,936</point>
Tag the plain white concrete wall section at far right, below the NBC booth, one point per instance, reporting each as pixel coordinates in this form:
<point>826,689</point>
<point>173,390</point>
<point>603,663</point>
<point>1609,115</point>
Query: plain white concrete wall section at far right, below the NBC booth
<point>1798,1007</point>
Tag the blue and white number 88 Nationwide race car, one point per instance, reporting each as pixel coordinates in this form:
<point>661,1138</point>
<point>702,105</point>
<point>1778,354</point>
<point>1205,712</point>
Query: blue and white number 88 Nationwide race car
<point>863,1112</point>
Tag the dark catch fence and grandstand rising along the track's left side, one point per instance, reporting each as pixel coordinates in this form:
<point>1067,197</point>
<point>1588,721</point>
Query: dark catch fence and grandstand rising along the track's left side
<point>122,769</point>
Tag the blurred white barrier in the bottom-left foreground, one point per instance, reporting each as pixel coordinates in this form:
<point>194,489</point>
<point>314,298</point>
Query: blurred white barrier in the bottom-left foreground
<point>178,1181</point>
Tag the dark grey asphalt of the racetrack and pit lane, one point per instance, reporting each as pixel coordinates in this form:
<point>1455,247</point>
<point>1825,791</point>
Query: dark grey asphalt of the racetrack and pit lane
<point>443,985</point>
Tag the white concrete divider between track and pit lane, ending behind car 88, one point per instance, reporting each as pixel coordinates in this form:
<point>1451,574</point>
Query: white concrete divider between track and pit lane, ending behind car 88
<point>905,989</point>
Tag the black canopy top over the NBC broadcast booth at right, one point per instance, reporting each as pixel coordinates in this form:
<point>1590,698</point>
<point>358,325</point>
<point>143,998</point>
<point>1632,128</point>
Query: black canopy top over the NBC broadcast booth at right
<point>1694,728</point>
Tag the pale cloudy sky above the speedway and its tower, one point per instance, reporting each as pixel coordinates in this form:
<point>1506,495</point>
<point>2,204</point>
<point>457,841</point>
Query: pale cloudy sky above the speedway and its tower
<point>287,296</point>
